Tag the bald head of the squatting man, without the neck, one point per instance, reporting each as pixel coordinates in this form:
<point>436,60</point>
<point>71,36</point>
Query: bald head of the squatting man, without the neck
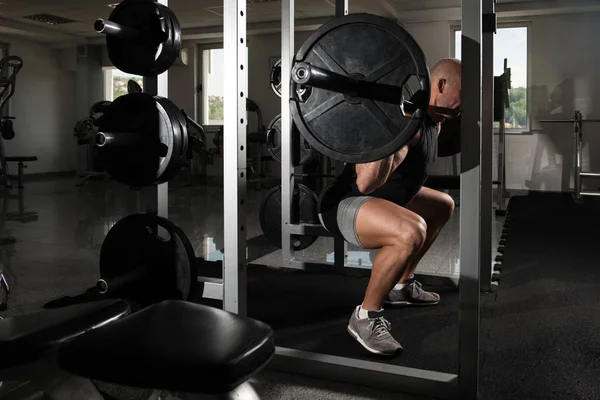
<point>446,83</point>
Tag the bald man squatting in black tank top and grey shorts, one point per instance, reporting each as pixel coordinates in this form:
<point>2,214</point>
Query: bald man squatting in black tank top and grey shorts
<point>383,205</point>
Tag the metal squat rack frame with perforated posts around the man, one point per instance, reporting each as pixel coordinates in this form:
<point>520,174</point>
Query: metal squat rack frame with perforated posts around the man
<point>476,196</point>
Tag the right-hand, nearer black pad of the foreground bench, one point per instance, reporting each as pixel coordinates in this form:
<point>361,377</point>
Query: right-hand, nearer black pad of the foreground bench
<point>173,345</point>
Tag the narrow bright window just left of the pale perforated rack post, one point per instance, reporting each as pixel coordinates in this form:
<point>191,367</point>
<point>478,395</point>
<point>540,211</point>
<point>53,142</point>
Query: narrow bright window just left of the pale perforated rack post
<point>212,87</point>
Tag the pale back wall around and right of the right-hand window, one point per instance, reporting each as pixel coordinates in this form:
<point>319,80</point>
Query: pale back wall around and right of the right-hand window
<point>560,47</point>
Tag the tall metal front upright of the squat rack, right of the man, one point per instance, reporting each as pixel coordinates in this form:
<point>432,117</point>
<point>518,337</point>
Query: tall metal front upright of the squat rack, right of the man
<point>470,198</point>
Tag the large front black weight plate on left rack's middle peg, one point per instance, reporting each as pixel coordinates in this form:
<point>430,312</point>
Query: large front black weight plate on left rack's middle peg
<point>142,164</point>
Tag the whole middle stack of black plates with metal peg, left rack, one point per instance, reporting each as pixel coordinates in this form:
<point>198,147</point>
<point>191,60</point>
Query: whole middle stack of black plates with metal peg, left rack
<point>143,140</point>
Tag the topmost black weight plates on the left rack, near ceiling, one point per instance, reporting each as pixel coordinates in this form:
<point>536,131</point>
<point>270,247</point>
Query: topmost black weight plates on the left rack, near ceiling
<point>145,57</point>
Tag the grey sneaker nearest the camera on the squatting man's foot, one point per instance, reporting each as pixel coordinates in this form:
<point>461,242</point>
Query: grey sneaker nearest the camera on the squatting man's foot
<point>373,333</point>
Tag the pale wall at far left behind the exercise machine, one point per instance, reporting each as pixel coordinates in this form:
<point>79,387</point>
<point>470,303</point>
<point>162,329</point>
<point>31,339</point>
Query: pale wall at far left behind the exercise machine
<point>44,107</point>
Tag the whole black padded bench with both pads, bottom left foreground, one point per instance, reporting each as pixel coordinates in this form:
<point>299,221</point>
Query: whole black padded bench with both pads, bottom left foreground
<point>174,345</point>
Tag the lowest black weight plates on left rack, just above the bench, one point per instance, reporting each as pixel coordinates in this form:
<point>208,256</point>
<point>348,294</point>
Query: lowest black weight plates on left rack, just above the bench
<point>136,241</point>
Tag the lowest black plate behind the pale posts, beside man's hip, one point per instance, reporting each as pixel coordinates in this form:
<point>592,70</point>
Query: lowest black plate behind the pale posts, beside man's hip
<point>270,215</point>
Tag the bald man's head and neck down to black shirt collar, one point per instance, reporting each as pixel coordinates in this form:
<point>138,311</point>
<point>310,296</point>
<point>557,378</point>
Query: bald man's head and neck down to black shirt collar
<point>446,89</point>
